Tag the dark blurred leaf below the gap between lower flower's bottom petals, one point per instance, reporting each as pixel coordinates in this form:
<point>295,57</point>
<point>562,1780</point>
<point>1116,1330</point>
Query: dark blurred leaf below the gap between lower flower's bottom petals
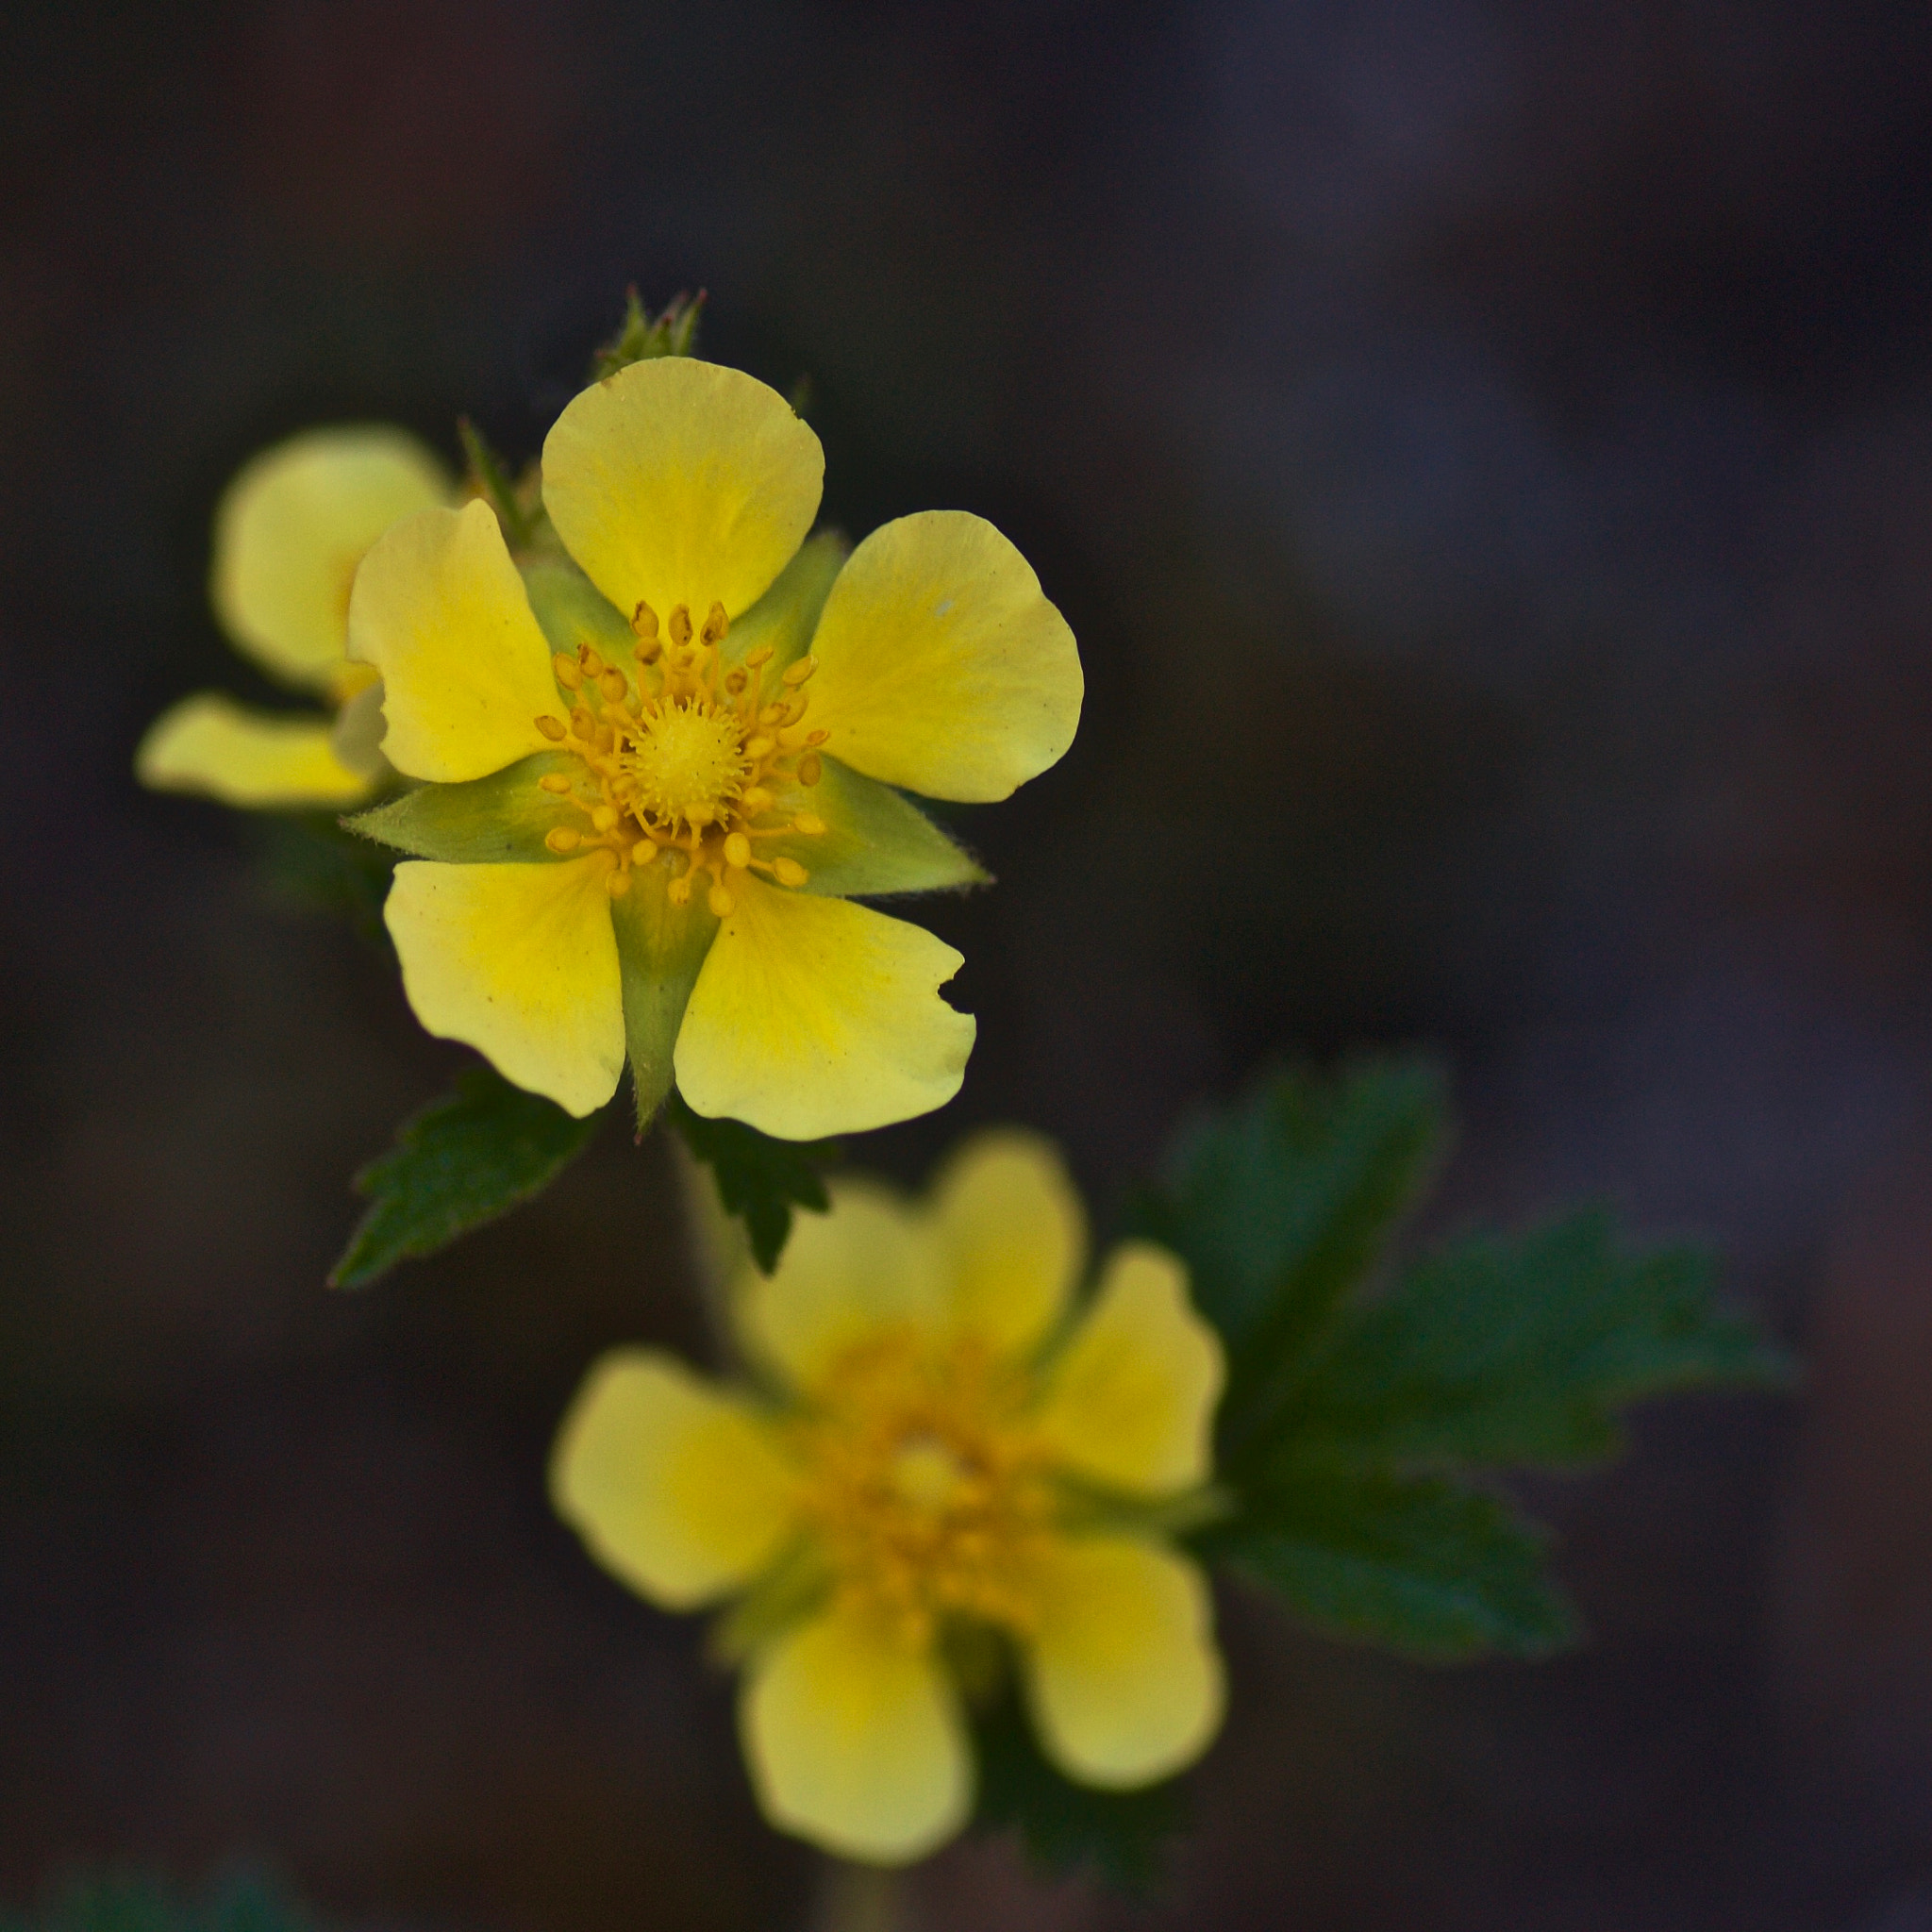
<point>1122,1834</point>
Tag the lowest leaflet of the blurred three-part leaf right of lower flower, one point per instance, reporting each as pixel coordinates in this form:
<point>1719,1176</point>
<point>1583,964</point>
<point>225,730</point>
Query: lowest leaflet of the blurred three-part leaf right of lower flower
<point>1415,1564</point>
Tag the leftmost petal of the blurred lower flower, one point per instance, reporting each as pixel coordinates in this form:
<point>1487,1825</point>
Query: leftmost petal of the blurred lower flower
<point>675,1483</point>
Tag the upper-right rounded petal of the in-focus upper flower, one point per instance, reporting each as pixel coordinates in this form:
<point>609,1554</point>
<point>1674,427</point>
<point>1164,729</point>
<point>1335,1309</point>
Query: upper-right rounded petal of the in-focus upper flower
<point>942,666</point>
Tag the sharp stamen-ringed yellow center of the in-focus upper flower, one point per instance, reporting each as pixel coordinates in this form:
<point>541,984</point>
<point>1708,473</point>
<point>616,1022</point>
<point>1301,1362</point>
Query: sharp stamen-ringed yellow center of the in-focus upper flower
<point>685,758</point>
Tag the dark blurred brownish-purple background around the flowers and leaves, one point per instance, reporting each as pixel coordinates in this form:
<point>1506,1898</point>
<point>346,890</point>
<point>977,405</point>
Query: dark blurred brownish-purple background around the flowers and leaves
<point>1485,449</point>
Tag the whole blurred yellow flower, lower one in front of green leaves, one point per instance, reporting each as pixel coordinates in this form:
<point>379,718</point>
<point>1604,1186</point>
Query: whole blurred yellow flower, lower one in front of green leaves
<point>944,1463</point>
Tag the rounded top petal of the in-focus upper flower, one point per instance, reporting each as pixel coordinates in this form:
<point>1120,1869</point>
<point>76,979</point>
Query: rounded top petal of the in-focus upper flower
<point>679,482</point>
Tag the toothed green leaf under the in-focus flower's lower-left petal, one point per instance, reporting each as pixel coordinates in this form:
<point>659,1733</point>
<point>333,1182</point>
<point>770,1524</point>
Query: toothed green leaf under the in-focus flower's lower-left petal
<point>461,1162</point>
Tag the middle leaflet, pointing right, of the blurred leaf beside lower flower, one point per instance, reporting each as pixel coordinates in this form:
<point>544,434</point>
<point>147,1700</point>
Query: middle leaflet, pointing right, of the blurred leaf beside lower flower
<point>1521,1351</point>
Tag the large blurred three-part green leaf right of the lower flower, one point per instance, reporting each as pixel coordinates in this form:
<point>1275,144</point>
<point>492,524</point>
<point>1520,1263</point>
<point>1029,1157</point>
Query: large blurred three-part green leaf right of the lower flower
<point>1355,1409</point>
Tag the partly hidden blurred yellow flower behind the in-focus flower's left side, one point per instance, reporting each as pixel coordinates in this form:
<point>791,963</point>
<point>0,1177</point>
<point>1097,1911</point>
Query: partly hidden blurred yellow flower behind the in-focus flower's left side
<point>289,534</point>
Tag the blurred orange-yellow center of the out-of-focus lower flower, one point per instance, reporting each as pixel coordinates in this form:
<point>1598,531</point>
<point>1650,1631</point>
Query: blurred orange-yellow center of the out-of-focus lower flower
<point>926,1487</point>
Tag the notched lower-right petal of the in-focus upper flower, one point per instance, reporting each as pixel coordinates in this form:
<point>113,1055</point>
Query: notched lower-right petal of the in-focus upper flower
<point>818,1017</point>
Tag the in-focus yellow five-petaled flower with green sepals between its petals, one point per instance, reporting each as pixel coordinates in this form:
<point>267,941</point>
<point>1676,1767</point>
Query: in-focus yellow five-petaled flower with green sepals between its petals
<point>656,781</point>
